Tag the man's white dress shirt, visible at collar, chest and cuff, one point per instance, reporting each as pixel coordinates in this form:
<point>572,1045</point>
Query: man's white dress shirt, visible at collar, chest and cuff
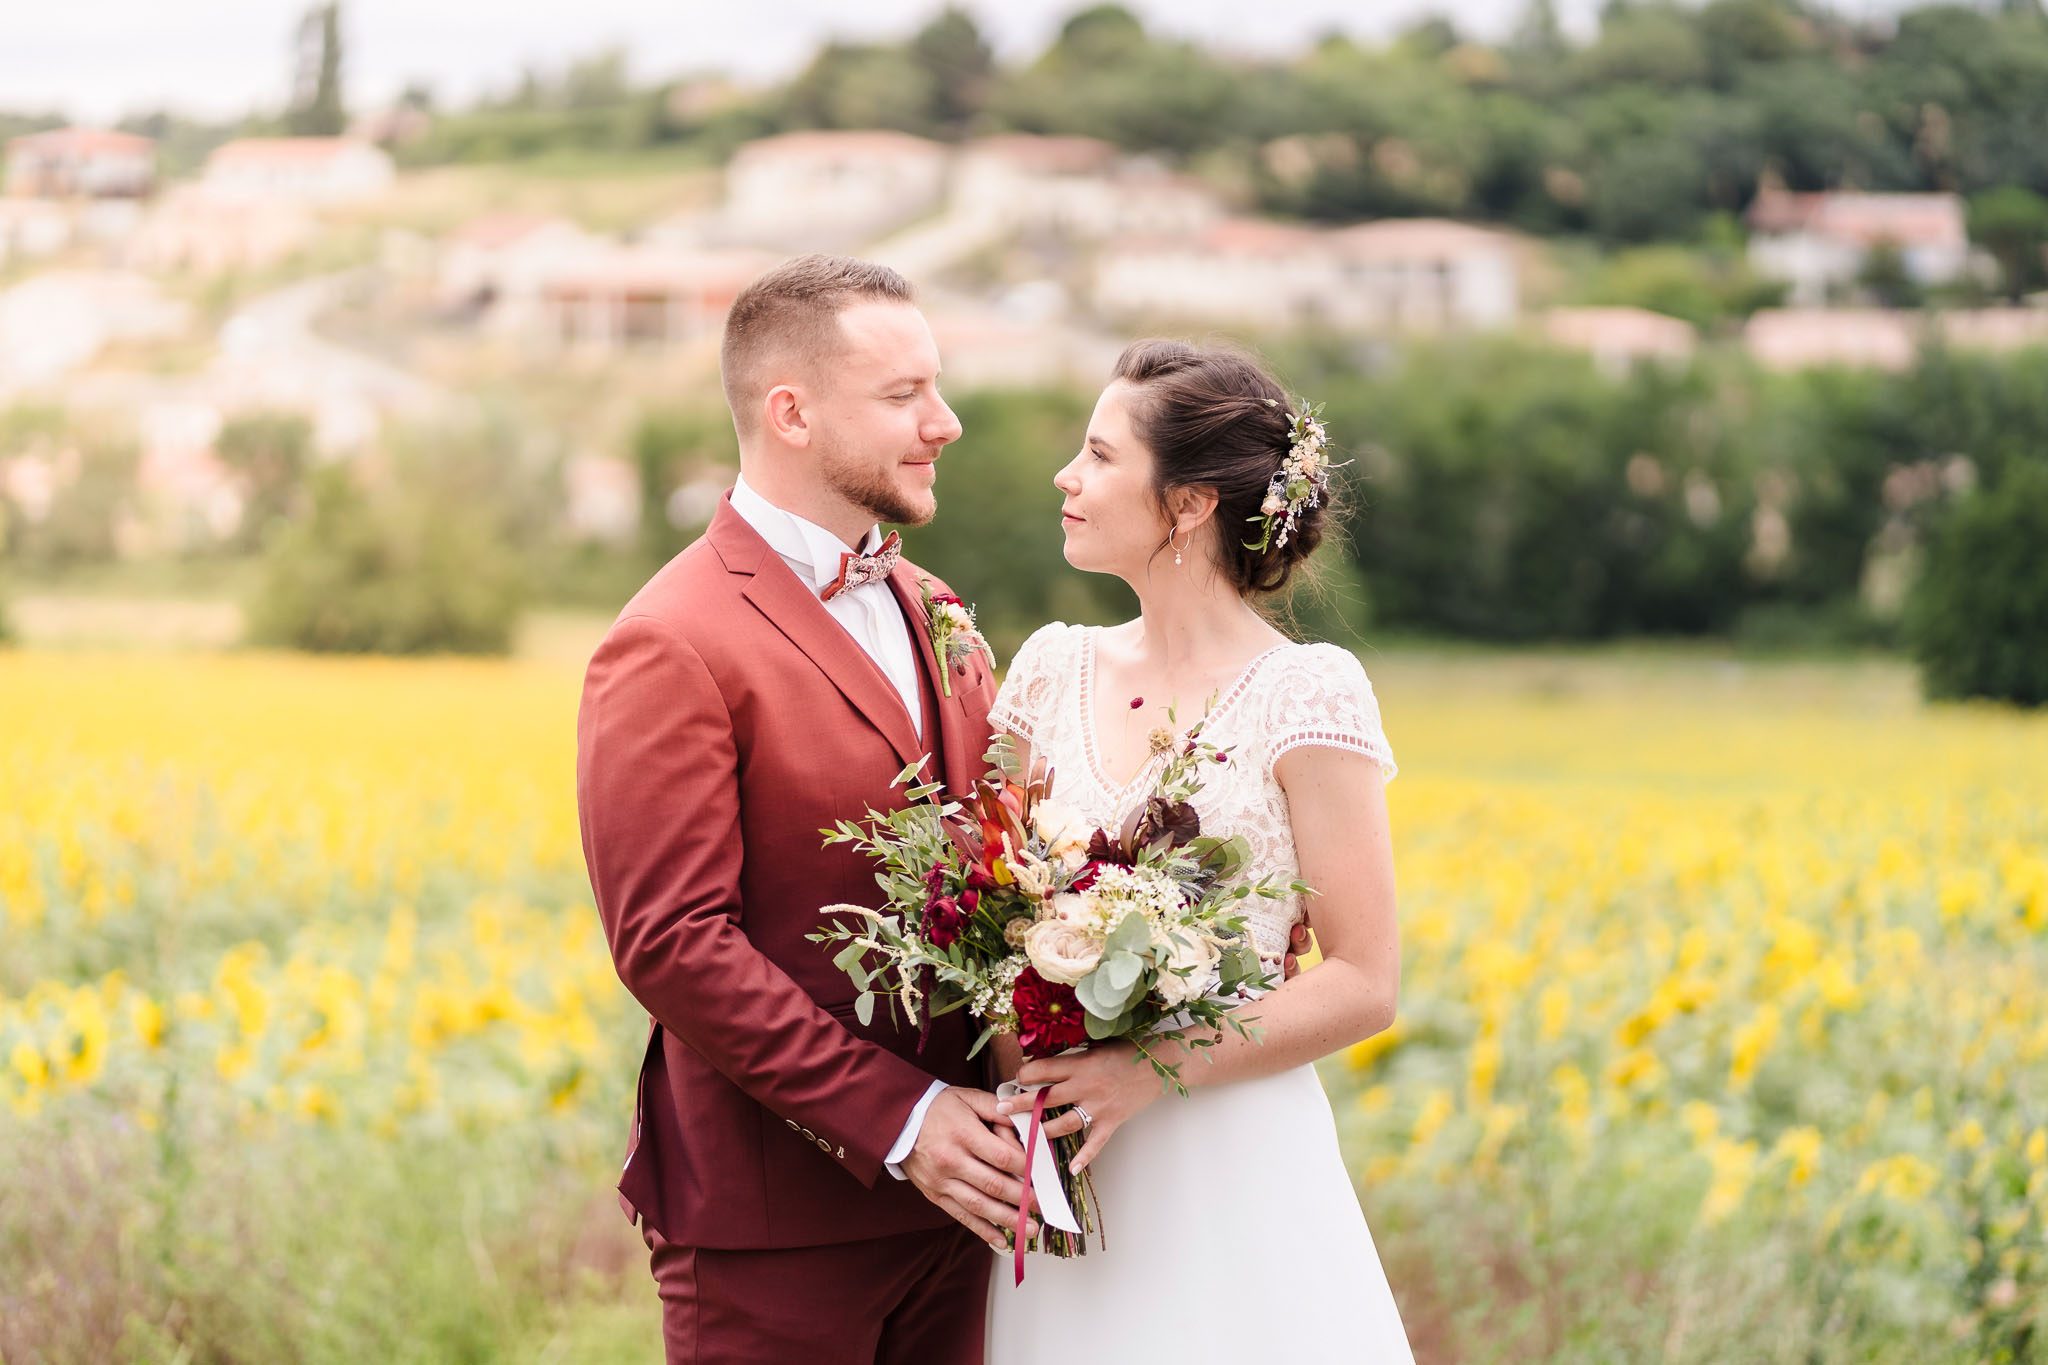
<point>876,621</point>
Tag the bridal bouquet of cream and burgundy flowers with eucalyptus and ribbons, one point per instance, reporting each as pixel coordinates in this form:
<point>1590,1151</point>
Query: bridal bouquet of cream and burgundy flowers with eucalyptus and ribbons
<point>1011,908</point>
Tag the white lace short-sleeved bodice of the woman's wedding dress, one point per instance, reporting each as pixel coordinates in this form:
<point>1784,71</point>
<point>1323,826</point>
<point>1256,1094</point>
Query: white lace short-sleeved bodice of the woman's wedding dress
<point>1289,697</point>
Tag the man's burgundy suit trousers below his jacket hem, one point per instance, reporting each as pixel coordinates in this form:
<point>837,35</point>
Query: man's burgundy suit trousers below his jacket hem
<point>916,1298</point>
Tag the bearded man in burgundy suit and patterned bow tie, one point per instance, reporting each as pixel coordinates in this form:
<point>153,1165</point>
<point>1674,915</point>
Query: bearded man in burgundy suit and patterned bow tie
<point>810,1188</point>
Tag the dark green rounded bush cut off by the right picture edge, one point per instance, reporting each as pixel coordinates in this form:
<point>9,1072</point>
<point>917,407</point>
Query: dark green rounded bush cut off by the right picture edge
<point>1979,615</point>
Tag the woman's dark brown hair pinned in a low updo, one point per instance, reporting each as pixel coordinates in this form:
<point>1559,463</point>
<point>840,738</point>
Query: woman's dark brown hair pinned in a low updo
<point>1218,419</point>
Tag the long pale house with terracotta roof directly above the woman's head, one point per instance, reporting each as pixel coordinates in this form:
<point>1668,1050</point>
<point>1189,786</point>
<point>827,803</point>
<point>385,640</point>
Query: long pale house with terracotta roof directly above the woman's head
<point>1381,277</point>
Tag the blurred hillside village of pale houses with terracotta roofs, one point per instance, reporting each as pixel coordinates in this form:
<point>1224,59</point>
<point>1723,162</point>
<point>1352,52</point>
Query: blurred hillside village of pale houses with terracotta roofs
<point>1037,257</point>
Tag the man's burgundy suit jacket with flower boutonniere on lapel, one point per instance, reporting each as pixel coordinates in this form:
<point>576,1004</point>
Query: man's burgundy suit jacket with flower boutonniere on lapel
<point>728,719</point>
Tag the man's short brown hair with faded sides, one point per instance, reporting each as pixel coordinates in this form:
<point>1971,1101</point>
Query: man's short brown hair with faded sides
<point>792,316</point>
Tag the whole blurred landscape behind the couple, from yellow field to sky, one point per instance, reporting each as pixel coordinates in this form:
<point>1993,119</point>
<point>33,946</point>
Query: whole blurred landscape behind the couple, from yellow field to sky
<point>357,361</point>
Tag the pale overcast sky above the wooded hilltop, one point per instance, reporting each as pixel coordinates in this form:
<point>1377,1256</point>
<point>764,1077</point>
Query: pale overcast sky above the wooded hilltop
<point>97,60</point>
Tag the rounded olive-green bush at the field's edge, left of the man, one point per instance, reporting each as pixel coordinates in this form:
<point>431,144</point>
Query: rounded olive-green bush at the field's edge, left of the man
<point>400,568</point>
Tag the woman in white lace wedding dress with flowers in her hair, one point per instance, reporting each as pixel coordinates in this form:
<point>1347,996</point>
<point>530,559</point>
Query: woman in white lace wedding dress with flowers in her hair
<point>1232,1225</point>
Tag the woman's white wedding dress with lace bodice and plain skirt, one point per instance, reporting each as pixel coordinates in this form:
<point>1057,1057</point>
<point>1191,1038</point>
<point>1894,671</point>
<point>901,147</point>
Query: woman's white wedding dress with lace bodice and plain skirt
<point>1234,1231</point>
